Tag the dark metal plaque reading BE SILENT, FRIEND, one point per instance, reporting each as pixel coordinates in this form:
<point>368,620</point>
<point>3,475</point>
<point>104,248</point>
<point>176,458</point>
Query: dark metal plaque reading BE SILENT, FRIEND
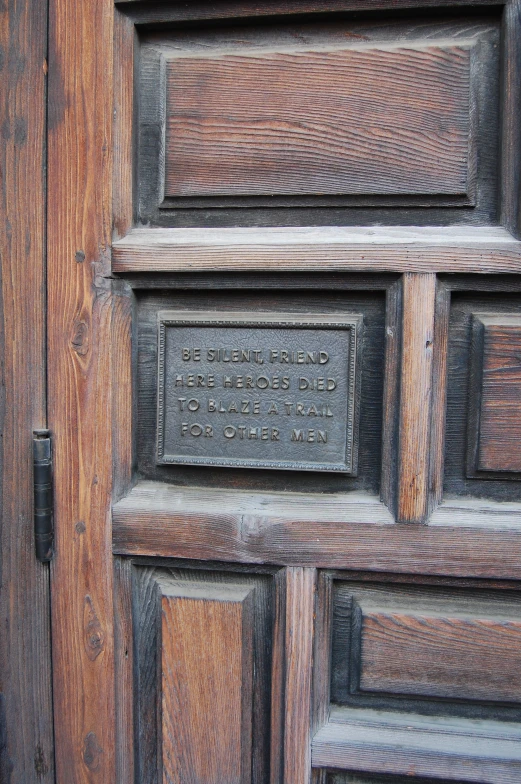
<point>258,390</point>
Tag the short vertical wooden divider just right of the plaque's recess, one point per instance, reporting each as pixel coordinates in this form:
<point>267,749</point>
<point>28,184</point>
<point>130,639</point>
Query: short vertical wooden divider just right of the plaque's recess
<point>419,295</point>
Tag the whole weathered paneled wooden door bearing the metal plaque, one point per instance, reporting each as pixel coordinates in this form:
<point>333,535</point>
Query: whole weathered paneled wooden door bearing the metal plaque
<point>284,391</point>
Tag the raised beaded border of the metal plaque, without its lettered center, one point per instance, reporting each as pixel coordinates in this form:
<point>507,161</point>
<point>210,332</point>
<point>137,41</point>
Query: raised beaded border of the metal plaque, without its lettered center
<point>350,322</point>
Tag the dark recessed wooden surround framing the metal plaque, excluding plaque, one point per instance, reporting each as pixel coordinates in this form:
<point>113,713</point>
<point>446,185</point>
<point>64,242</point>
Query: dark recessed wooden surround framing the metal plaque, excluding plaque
<point>370,304</point>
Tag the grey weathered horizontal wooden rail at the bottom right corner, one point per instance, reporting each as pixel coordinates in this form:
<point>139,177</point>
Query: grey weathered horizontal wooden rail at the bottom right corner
<point>453,749</point>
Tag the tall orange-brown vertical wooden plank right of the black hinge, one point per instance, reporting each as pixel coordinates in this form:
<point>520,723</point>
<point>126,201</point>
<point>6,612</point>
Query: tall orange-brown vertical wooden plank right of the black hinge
<point>80,372</point>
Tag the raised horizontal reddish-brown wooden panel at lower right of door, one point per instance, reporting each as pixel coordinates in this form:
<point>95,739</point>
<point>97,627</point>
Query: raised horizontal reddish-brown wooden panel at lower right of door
<point>439,646</point>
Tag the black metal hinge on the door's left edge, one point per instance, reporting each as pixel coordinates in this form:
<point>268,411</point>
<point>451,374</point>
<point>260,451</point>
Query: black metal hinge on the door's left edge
<point>43,495</point>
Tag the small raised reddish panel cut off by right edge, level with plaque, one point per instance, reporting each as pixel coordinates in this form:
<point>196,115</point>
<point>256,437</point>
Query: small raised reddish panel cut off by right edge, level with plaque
<point>495,394</point>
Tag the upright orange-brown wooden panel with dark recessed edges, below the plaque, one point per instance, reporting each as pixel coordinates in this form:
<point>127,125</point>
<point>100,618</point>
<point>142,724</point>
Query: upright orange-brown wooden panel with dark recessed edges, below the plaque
<point>165,660</point>
